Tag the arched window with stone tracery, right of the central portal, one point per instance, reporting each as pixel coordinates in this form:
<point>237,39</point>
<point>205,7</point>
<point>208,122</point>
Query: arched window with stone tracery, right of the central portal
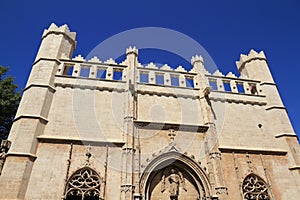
<point>254,188</point>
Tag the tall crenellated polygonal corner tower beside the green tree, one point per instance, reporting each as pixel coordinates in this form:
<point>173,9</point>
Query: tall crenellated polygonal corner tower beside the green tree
<point>31,117</point>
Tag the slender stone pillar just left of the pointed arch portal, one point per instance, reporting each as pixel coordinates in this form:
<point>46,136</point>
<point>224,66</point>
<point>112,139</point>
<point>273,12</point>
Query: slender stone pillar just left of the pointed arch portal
<point>129,177</point>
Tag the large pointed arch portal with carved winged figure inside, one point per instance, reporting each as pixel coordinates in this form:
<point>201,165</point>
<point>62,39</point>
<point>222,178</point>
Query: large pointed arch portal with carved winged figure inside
<point>174,176</point>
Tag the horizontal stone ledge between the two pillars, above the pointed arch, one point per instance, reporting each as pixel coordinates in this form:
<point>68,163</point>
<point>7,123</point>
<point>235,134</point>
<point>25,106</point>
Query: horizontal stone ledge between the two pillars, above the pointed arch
<point>168,126</point>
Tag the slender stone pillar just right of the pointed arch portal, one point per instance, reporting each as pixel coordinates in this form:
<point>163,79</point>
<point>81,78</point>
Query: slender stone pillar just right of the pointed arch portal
<point>213,157</point>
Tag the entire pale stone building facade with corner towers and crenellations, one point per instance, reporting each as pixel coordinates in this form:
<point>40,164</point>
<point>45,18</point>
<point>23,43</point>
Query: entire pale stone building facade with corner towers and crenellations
<point>87,129</point>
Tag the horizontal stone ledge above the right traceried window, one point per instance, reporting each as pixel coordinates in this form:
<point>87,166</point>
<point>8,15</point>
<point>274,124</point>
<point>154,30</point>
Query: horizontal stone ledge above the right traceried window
<point>253,151</point>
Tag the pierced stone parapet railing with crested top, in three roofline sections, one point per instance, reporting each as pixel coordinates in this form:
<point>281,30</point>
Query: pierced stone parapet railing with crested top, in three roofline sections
<point>150,74</point>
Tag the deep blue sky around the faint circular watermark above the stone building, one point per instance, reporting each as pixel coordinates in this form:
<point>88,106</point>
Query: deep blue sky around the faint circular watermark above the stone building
<point>224,28</point>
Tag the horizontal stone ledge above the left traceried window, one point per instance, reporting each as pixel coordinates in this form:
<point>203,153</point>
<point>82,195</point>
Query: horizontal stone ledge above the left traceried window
<point>60,140</point>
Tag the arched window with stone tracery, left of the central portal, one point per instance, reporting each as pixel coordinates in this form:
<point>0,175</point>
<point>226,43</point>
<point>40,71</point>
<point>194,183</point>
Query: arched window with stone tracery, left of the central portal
<point>84,184</point>
